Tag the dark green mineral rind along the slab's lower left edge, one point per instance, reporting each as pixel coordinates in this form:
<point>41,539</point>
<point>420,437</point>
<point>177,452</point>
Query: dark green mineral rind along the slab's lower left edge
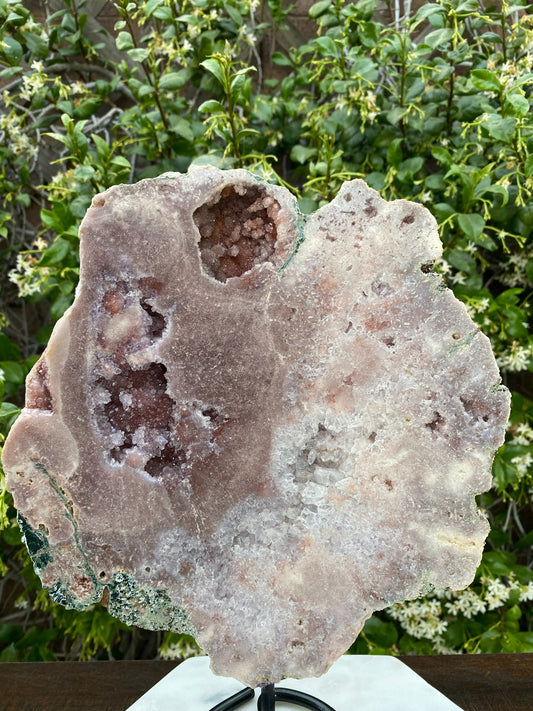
<point>134,605</point>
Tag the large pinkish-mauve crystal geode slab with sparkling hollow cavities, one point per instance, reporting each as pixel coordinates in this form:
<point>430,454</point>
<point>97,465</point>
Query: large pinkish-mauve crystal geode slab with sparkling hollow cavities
<point>256,426</point>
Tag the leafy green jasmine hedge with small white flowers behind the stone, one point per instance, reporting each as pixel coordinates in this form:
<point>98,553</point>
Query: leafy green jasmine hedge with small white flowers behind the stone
<point>434,108</point>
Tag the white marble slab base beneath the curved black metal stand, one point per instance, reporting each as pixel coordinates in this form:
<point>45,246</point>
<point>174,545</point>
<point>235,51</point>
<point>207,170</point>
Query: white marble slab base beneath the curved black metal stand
<point>354,683</point>
